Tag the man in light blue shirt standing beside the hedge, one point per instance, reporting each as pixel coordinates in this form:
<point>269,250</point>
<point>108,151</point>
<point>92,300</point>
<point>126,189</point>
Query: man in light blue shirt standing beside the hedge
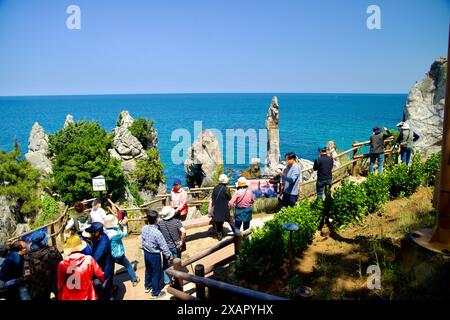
<point>291,178</point>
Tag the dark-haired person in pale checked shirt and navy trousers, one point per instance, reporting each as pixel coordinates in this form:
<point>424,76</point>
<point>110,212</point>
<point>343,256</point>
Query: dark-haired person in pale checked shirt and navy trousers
<point>153,243</point>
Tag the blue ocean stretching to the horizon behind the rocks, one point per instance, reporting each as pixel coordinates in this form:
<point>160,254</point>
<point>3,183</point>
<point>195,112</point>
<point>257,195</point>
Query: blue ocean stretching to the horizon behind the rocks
<point>306,120</point>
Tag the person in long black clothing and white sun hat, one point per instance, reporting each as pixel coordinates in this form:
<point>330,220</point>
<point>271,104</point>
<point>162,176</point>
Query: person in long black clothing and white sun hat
<point>219,206</point>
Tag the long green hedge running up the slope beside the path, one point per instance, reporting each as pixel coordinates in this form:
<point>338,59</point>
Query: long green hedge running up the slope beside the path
<point>266,251</point>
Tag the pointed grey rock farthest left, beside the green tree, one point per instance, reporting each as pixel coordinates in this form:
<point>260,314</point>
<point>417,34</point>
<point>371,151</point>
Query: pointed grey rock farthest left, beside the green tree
<point>38,150</point>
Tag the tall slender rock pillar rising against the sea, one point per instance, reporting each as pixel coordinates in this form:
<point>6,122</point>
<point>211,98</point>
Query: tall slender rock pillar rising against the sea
<point>273,157</point>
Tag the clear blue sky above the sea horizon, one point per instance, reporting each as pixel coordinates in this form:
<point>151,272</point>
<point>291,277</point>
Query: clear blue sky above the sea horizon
<point>179,46</point>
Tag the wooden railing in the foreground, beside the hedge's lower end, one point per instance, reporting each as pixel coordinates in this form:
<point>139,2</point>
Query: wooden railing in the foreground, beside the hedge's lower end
<point>202,282</point>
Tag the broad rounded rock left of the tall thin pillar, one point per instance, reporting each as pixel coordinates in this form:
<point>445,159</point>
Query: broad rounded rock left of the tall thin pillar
<point>204,155</point>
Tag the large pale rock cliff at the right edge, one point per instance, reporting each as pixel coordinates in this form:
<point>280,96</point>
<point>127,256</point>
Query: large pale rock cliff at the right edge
<point>424,108</point>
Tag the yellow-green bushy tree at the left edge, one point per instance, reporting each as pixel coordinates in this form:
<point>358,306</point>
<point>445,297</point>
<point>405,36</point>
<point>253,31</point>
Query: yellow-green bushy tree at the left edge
<point>19,182</point>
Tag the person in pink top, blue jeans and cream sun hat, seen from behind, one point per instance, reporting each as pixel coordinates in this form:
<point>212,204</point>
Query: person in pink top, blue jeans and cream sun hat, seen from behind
<point>242,200</point>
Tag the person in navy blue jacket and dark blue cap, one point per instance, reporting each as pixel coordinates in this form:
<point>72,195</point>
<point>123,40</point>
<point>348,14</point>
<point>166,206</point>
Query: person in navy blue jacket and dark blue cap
<point>101,252</point>
